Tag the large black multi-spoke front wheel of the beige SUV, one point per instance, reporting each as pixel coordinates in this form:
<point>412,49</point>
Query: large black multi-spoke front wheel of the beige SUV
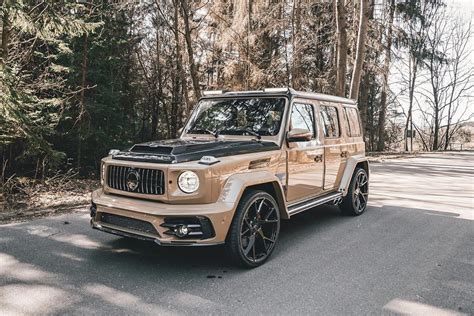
<point>254,230</point>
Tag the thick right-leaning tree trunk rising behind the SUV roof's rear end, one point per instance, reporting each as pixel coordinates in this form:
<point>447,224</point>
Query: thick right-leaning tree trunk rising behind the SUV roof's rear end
<point>360,50</point>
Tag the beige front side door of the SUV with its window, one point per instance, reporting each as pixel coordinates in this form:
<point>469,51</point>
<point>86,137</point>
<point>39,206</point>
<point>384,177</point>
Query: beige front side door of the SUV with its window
<point>305,159</point>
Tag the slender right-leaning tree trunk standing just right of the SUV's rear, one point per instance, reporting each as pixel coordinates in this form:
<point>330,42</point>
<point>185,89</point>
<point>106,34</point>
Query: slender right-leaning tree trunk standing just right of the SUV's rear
<point>386,70</point>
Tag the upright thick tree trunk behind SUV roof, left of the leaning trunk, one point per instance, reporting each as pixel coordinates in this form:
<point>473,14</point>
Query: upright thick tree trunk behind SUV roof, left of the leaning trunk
<point>341,47</point>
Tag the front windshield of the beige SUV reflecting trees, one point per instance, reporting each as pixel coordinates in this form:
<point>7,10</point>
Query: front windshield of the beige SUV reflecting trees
<point>240,116</point>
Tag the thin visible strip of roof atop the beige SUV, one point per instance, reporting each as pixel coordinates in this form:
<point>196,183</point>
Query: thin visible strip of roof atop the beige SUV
<point>287,92</point>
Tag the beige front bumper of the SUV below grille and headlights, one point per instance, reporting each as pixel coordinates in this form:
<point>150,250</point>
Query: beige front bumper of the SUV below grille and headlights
<point>153,213</point>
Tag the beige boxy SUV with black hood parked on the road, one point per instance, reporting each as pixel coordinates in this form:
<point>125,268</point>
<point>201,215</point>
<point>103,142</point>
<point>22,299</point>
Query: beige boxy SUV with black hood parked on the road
<point>244,161</point>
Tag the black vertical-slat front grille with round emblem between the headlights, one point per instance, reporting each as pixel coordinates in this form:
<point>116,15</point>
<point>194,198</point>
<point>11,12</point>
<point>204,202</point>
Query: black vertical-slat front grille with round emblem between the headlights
<point>137,180</point>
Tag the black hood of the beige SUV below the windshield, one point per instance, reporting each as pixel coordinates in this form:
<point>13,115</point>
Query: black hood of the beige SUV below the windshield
<point>183,150</point>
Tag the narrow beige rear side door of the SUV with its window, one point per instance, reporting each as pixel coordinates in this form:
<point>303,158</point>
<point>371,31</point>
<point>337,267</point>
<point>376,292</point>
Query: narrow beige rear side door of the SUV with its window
<point>335,149</point>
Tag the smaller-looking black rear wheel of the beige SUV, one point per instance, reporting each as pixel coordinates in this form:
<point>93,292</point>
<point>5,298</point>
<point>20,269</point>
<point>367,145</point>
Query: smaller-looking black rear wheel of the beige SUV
<point>355,202</point>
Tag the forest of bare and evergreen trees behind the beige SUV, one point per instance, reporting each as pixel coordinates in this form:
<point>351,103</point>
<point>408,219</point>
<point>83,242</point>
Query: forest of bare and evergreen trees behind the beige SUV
<point>78,78</point>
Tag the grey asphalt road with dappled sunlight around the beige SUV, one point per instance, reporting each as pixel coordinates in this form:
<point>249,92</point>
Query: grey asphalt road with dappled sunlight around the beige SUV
<point>411,252</point>
